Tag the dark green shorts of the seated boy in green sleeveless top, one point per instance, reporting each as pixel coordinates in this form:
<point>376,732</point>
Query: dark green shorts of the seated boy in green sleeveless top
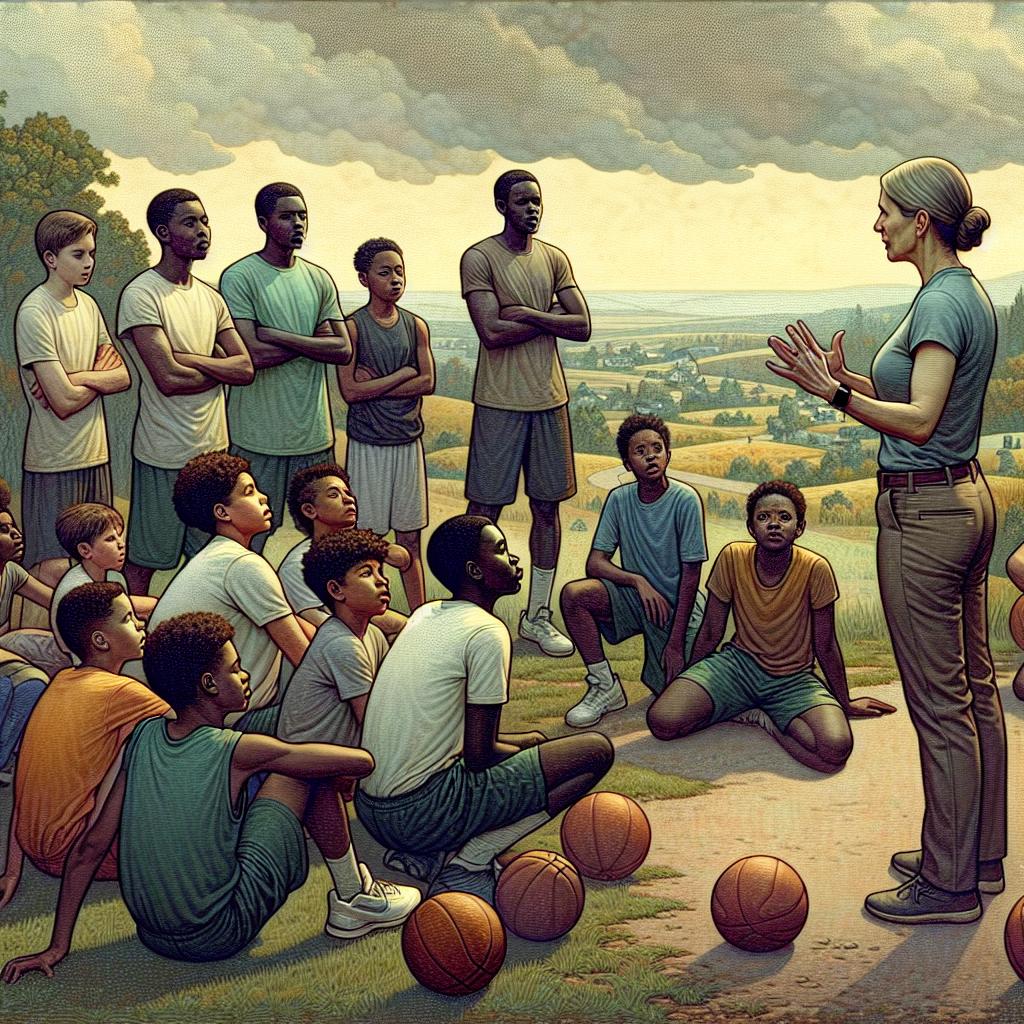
<point>273,863</point>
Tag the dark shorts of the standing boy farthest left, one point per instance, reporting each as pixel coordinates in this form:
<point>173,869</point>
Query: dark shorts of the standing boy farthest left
<point>46,496</point>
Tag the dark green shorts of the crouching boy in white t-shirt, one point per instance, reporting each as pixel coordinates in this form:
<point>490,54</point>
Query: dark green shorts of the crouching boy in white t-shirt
<point>456,805</point>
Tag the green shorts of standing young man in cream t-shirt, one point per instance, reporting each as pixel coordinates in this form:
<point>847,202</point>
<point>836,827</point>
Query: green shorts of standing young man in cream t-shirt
<point>156,536</point>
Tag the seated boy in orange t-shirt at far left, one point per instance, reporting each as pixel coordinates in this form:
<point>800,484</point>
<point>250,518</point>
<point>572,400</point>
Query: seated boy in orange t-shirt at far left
<point>87,713</point>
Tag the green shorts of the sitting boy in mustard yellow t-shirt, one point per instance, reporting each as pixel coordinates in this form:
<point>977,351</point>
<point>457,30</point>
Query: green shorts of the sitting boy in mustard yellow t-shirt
<point>736,682</point>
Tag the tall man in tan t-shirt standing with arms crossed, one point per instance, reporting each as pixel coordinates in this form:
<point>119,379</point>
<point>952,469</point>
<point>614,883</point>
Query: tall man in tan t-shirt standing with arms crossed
<point>523,297</point>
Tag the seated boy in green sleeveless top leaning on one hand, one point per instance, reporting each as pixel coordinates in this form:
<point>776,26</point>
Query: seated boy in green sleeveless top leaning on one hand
<point>232,865</point>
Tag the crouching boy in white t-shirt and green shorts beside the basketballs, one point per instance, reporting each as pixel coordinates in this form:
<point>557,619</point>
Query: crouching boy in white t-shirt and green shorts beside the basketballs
<point>449,788</point>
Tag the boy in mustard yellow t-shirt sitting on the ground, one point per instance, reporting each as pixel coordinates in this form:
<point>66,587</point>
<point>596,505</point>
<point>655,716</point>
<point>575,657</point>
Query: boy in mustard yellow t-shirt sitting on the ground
<point>783,600</point>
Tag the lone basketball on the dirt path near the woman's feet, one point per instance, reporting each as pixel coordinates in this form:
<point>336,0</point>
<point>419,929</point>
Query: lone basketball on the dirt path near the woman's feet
<point>759,905</point>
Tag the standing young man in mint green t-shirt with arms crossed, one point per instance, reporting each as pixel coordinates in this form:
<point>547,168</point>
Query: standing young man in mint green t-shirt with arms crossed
<point>288,315</point>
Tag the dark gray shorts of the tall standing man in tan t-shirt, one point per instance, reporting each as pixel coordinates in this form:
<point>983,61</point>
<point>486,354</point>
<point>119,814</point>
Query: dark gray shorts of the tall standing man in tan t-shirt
<point>503,441</point>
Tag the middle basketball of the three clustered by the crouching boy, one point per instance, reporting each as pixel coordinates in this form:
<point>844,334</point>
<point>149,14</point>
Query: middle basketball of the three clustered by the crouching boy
<point>540,897</point>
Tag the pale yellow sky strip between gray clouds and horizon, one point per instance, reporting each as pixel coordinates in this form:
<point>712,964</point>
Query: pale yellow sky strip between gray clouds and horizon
<point>623,232</point>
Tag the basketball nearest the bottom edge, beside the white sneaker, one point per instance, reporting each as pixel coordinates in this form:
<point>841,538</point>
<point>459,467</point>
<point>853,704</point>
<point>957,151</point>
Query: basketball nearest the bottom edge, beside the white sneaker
<point>454,944</point>
